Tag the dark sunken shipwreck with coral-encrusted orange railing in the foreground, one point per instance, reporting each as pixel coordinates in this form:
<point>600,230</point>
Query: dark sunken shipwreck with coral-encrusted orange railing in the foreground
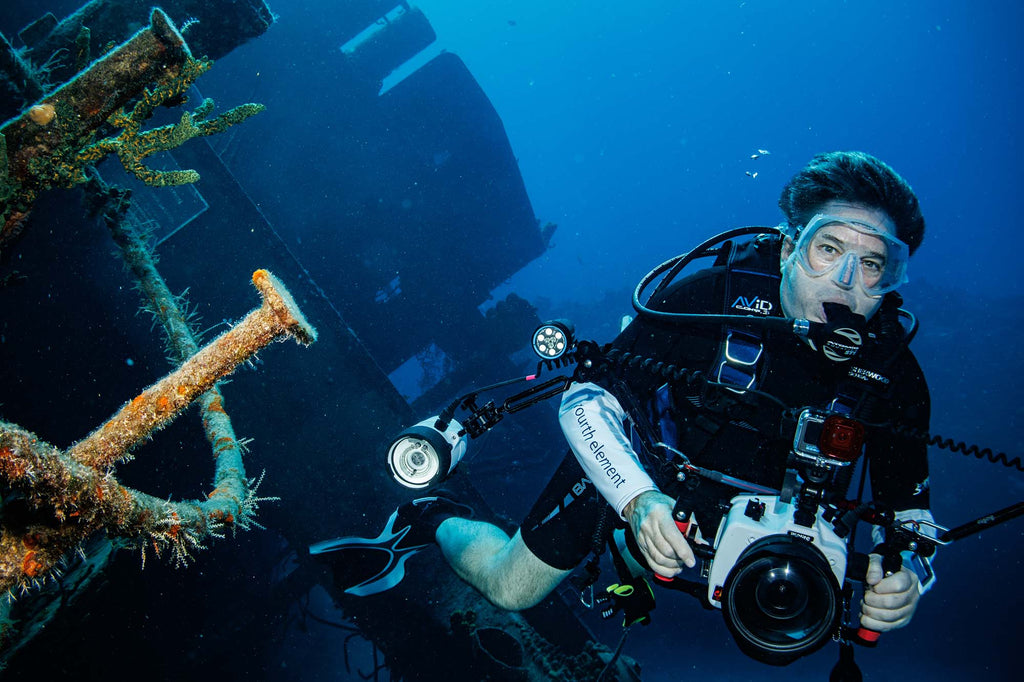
<point>391,212</point>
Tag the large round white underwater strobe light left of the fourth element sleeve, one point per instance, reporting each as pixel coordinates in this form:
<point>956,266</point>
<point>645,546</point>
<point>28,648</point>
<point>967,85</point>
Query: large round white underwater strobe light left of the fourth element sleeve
<point>424,455</point>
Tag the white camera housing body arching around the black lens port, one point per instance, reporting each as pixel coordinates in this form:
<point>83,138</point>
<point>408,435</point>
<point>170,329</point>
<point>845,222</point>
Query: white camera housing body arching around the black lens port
<point>744,526</point>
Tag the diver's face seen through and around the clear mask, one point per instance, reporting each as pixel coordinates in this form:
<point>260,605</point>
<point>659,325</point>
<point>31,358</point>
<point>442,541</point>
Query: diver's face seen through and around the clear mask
<point>803,295</point>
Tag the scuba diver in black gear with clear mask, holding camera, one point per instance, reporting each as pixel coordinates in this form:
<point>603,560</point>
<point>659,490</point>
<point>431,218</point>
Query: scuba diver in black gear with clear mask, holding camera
<point>851,226</point>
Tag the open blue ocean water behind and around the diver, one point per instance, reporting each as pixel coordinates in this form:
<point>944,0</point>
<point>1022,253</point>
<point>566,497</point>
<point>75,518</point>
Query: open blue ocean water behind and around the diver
<point>634,125</point>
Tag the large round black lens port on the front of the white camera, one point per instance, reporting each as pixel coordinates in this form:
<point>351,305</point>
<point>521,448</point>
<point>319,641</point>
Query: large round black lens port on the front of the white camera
<point>782,601</point>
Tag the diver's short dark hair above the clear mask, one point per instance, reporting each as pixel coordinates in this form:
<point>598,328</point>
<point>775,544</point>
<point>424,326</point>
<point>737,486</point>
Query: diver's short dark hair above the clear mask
<point>857,178</point>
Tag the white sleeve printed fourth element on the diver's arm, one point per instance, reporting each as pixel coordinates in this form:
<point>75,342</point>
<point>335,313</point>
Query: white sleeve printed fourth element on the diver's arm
<point>592,421</point>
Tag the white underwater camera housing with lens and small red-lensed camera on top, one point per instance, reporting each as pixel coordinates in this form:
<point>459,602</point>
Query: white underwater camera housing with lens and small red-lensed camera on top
<point>779,565</point>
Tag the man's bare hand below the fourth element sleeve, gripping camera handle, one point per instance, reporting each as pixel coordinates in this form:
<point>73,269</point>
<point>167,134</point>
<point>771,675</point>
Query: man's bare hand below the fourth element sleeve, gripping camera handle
<point>650,516</point>
